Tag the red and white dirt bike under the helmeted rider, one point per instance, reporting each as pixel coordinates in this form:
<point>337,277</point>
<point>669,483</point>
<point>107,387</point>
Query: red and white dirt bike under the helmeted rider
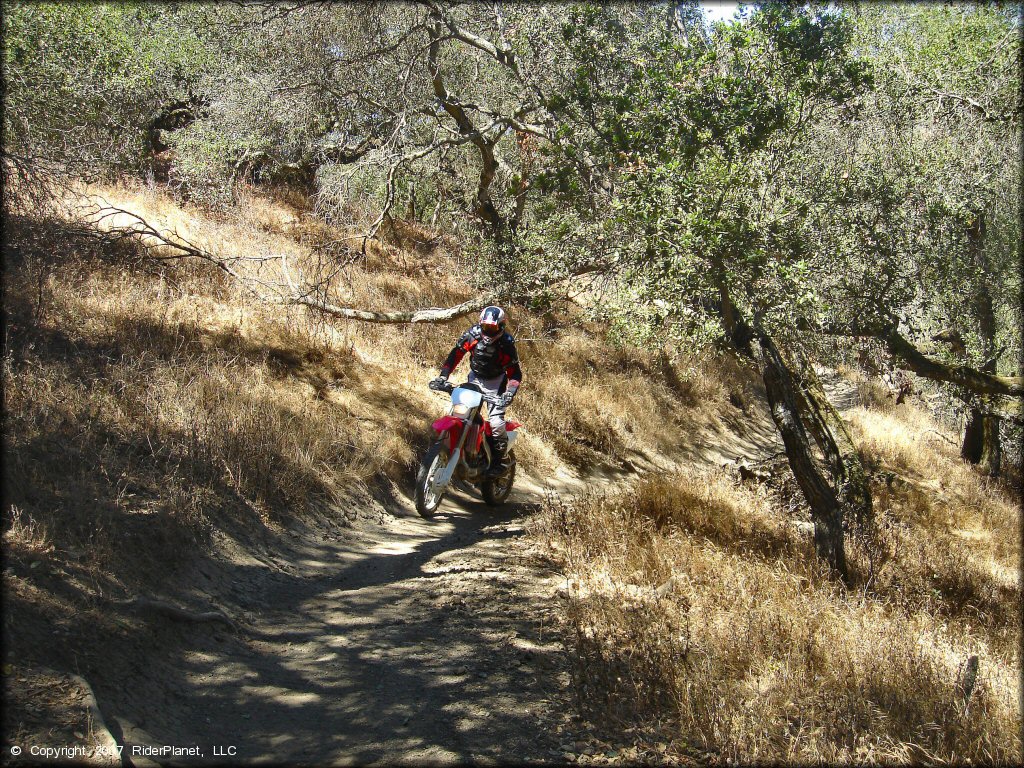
<point>460,454</point>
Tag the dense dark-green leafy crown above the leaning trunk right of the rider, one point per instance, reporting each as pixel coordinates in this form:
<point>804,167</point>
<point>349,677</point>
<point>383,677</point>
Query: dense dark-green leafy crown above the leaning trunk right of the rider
<point>697,136</point>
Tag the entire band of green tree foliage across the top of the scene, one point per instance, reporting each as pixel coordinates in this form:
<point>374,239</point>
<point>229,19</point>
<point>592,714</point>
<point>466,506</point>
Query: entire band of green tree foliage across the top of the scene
<point>808,166</point>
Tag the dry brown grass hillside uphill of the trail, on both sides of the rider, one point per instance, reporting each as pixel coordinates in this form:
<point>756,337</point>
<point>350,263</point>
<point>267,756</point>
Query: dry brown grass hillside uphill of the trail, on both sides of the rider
<point>157,414</point>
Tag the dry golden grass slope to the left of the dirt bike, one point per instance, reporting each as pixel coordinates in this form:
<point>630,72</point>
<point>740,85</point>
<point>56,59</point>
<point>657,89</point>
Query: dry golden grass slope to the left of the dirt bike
<point>150,405</point>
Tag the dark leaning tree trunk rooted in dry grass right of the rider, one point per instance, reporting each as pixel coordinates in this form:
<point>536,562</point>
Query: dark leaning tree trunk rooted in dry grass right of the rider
<point>787,403</point>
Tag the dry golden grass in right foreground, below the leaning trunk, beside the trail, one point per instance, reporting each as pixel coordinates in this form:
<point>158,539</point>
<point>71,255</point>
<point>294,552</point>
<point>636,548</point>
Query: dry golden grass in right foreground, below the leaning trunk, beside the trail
<point>755,655</point>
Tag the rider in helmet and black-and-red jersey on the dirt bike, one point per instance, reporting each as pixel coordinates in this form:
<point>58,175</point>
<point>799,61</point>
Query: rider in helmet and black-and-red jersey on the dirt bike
<point>494,367</point>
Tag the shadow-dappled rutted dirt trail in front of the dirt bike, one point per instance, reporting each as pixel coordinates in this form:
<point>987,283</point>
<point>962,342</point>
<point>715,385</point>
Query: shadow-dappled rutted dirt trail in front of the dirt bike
<point>413,642</point>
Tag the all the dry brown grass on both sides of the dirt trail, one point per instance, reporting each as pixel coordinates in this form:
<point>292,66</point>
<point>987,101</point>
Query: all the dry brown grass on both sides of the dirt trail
<point>158,417</point>
